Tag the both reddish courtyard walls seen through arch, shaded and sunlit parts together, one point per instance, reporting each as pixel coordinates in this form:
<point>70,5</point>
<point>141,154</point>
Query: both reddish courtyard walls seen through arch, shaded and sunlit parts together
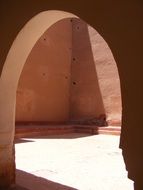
<point>70,75</point>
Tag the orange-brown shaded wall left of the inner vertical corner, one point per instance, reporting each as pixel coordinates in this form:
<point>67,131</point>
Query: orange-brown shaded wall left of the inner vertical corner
<point>43,91</point>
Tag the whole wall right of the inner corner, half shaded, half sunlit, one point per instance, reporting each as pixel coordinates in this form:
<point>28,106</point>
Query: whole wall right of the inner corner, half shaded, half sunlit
<point>95,85</point>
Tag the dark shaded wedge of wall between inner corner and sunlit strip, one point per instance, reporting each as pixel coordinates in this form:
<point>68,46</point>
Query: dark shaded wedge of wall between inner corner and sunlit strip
<point>86,100</point>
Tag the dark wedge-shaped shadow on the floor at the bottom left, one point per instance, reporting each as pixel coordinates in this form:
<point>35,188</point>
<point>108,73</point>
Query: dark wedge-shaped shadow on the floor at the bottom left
<point>27,181</point>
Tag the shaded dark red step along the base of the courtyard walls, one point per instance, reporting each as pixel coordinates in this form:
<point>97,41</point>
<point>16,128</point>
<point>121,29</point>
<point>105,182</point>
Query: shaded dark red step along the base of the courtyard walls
<point>54,131</point>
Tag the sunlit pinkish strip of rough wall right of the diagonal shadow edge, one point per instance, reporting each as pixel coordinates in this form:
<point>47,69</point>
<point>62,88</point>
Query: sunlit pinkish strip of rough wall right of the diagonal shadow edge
<point>108,77</point>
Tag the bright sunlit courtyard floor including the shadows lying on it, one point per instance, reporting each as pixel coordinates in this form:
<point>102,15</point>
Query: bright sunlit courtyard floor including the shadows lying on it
<point>71,162</point>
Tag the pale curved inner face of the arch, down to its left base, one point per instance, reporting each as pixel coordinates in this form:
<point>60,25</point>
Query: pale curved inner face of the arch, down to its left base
<point>13,66</point>
